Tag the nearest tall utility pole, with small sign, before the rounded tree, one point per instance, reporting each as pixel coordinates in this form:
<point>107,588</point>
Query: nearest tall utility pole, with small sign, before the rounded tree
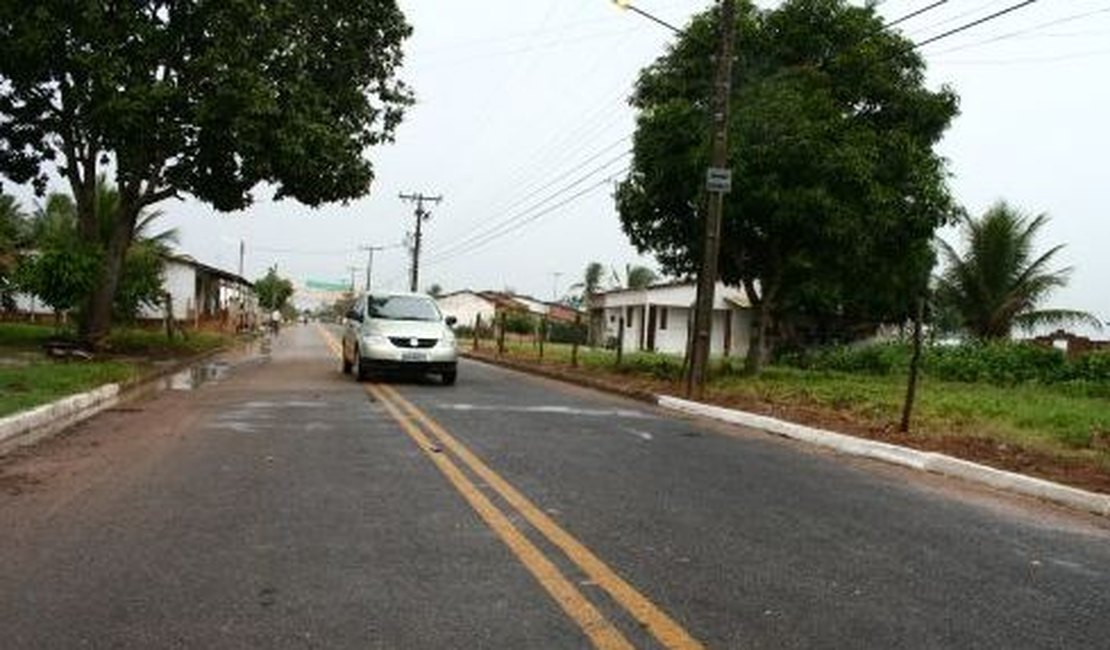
<point>719,181</point>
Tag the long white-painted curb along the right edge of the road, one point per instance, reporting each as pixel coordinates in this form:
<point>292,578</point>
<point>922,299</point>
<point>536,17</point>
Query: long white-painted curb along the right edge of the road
<point>922,461</point>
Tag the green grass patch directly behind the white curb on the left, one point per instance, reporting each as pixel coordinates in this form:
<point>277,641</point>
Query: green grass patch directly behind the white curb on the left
<point>42,382</point>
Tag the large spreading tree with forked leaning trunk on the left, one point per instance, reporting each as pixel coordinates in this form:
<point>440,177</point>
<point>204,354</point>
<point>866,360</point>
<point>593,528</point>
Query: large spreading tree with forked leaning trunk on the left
<point>200,98</point>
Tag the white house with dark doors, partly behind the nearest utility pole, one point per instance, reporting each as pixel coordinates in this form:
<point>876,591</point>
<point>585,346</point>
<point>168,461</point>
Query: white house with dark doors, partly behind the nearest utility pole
<point>660,319</point>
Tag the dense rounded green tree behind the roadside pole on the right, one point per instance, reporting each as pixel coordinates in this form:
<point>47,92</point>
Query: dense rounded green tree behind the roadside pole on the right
<point>837,190</point>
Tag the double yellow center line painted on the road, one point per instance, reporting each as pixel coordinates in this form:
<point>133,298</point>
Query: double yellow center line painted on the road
<point>443,450</point>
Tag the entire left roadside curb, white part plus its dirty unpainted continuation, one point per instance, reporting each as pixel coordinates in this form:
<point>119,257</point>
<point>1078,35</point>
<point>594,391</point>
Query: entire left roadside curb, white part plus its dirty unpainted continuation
<point>28,428</point>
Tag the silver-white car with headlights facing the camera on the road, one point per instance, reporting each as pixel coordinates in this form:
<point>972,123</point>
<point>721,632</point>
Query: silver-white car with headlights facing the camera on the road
<point>399,332</point>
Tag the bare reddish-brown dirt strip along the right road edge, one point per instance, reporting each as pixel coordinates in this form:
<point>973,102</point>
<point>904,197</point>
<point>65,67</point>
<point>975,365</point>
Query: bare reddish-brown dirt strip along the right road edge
<point>1077,472</point>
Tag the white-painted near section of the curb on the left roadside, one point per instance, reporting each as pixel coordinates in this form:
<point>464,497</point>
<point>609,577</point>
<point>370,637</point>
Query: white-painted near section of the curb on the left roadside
<point>29,426</point>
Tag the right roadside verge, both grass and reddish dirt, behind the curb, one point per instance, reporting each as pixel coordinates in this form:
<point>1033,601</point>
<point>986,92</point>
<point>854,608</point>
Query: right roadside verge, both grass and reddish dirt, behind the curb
<point>1050,431</point>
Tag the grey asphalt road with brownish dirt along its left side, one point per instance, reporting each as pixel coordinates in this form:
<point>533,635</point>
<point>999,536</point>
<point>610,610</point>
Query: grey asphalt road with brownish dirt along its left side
<point>282,505</point>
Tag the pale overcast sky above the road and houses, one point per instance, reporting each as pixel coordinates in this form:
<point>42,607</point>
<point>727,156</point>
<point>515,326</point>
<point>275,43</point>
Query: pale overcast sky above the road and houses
<point>522,120</point>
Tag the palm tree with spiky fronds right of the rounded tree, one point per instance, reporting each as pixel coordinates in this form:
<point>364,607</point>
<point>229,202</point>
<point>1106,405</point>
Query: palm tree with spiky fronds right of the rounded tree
<point>998,285</point>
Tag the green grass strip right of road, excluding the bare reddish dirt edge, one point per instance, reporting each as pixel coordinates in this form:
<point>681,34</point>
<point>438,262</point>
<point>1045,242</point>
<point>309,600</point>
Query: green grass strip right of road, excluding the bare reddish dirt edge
<point>1067,420</point>
